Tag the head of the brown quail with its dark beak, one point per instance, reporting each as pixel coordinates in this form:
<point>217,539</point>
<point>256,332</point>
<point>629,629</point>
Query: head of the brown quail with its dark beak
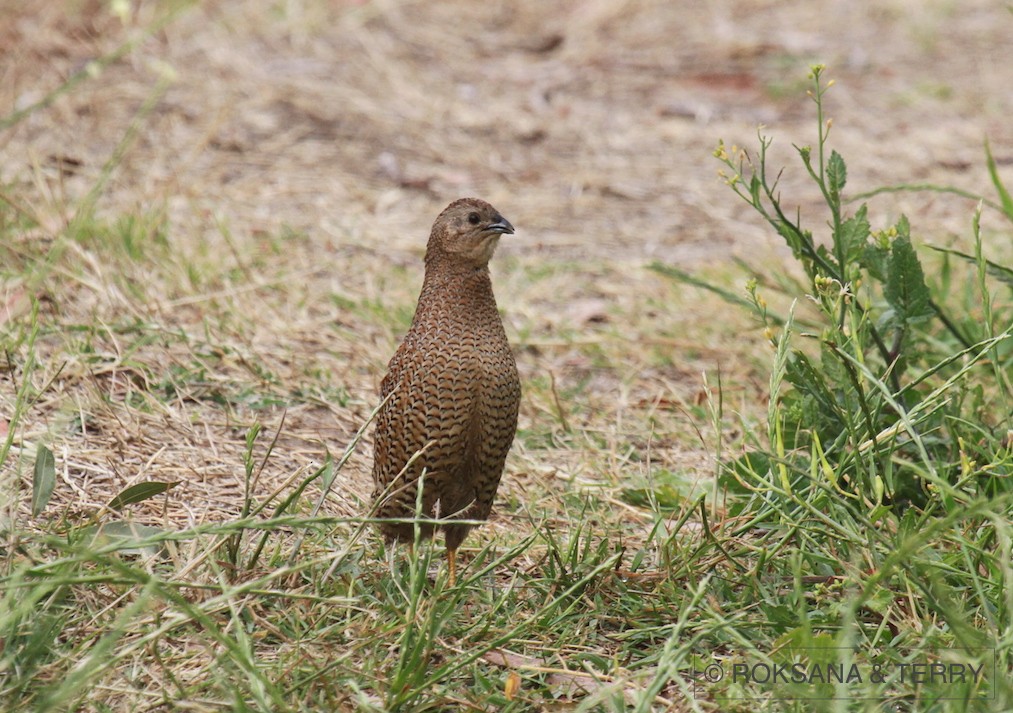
<point>467,233</point>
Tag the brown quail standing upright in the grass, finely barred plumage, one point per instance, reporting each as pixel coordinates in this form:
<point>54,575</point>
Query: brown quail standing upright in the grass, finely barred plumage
<point>453,389</point>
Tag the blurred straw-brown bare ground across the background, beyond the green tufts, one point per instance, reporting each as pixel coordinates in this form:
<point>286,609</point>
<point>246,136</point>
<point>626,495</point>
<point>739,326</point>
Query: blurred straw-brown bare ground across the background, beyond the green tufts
<point>590,124</point>
